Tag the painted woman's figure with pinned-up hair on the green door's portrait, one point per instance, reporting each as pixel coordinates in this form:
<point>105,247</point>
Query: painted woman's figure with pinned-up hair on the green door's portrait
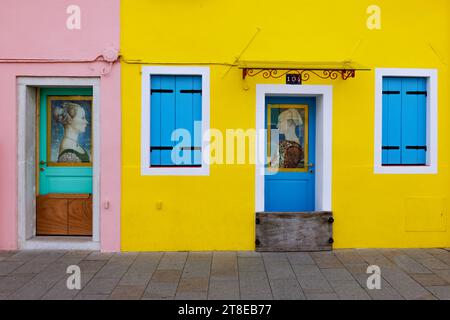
<point>72,116</point>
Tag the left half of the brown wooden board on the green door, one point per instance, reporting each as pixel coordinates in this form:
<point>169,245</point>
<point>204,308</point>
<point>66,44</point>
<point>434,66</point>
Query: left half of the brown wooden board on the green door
<point>51,216</point>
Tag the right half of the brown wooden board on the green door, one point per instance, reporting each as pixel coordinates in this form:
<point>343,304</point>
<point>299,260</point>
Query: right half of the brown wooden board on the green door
<point>80,217</point>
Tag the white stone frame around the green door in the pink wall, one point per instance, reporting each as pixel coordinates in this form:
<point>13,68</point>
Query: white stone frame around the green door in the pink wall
<point>26,165</point>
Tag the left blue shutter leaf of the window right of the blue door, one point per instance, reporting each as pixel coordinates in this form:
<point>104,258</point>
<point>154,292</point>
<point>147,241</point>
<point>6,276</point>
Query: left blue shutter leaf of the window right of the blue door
<point>392,116</point>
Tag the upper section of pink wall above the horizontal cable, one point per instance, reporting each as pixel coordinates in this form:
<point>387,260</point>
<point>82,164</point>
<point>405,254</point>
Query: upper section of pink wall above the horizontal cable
<point>37,29</point>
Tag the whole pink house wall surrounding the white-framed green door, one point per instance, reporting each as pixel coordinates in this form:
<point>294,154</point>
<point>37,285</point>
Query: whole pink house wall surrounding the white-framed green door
<point>37,30</point>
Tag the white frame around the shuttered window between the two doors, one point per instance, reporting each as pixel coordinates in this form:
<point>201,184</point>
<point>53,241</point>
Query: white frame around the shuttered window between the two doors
<point>147,72</point>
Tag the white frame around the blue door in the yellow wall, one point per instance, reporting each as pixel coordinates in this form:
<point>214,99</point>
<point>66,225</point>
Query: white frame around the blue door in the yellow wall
<point>323,166</point>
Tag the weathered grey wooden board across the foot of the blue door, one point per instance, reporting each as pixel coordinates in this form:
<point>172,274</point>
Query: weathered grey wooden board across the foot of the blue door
<point>292,232</point>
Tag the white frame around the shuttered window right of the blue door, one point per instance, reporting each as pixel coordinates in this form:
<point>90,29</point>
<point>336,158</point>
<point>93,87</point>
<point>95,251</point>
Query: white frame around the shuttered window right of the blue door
<point>431,166</point>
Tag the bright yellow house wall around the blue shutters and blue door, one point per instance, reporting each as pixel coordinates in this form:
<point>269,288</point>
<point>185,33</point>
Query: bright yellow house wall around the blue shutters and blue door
<point>217,212</point>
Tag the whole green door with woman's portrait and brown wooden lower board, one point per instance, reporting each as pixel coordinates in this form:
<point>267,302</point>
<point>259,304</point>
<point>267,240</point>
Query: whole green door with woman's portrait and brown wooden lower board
<point>64,197</point>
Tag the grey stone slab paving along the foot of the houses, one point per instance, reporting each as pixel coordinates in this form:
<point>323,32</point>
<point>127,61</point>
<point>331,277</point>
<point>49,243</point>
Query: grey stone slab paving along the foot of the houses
<point>406,274</point>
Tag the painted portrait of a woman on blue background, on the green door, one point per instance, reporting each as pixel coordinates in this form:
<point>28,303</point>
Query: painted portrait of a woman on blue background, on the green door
<point>71,134</point>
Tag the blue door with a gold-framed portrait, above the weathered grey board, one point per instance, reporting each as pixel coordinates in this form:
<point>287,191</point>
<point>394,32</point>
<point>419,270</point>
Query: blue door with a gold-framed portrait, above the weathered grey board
<point>290,147</point>
